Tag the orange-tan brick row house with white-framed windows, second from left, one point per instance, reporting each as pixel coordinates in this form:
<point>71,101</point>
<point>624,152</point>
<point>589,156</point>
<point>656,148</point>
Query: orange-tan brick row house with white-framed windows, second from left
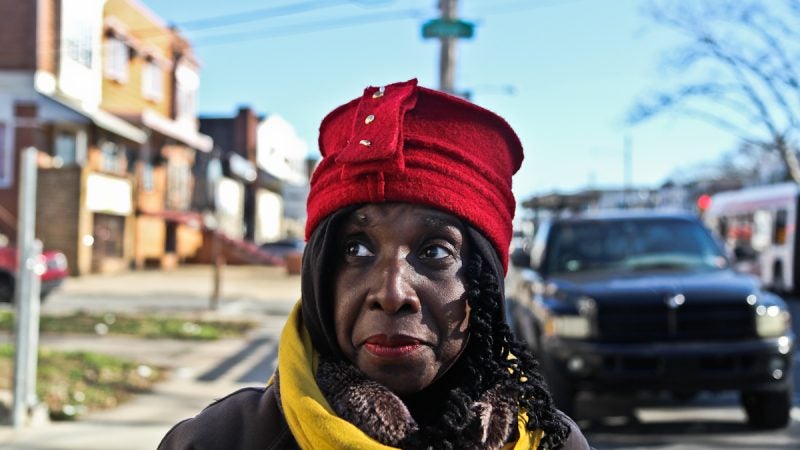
<point>151,79</point>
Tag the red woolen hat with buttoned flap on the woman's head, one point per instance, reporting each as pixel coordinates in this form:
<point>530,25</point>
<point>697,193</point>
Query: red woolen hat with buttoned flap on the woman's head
<point>404,143</point>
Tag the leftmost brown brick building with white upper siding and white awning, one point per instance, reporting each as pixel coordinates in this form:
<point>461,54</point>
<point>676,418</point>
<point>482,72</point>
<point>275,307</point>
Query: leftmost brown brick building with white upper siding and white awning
<point>50,93</point>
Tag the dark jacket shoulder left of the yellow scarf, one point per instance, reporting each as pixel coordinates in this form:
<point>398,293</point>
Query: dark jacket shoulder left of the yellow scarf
<point>249,418</point>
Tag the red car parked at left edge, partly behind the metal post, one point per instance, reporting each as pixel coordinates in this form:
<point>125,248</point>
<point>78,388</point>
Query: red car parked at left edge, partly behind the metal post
<point>55,271</point>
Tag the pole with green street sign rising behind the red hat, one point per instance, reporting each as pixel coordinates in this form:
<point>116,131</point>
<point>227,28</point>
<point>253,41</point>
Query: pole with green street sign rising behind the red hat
<point>447,29</point>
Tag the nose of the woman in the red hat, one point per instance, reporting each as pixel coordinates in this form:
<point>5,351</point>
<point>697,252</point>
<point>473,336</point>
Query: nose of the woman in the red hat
<point>393,288</point>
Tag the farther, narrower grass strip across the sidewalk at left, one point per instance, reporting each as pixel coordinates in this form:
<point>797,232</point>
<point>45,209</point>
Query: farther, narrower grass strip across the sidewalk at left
<point>147,326</point>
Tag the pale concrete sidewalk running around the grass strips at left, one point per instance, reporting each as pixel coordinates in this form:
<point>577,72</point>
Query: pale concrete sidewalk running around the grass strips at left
<point>262,293</point>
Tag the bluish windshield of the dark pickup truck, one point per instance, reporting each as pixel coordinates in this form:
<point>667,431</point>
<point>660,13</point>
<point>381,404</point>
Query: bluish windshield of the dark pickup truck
<point>632,245</point>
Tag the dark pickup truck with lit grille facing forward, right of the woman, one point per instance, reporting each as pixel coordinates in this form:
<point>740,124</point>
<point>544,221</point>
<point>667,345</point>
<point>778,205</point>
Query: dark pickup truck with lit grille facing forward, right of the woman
<point>635,302</point>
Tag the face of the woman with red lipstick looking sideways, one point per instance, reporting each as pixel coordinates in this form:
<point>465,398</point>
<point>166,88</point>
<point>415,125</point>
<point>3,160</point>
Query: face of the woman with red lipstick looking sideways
<point>400,307</point>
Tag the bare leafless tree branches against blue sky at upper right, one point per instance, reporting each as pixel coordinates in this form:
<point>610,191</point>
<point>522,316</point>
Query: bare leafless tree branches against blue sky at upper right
<point>737,71</point>
